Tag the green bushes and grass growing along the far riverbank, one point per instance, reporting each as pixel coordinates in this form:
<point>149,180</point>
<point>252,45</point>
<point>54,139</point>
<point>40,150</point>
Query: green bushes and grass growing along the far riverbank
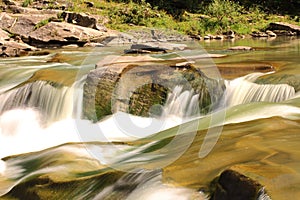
<point>191,17</point>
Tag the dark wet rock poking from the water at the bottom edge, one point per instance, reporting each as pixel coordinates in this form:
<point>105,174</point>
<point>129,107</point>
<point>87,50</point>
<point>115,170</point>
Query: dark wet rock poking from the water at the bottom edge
<point>231,185</point>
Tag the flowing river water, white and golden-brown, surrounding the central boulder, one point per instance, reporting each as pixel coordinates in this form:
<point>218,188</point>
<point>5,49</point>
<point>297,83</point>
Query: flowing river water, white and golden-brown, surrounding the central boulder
<point>50,151</point>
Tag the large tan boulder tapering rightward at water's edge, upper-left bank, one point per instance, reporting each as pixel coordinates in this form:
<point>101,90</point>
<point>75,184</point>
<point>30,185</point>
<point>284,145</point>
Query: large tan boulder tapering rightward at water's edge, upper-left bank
<point>58,34</point>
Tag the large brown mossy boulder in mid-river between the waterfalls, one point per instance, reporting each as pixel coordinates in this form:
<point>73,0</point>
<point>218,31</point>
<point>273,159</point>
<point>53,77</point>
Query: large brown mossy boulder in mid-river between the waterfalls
<point>135,84</point>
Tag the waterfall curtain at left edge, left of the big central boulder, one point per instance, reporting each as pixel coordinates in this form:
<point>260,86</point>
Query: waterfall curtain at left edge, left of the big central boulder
<point>54,102</point>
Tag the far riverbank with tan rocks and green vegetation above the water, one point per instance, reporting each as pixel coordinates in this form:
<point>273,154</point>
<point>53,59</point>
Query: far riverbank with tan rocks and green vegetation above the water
<point>26,26</point>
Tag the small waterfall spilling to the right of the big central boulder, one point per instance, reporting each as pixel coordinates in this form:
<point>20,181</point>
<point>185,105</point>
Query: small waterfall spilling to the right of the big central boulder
<point>243,90</point>
